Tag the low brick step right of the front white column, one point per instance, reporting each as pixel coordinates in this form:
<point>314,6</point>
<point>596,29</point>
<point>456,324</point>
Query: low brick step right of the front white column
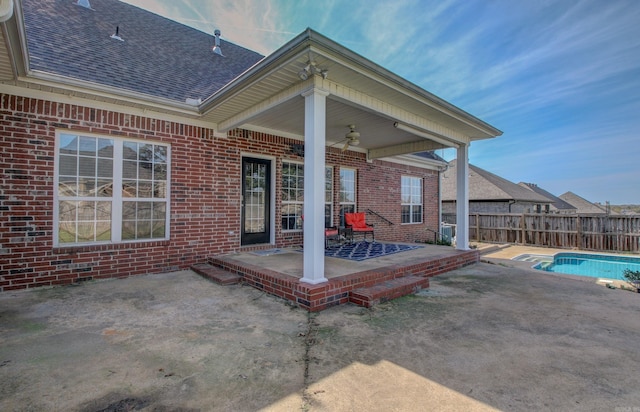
<point>387,290</point>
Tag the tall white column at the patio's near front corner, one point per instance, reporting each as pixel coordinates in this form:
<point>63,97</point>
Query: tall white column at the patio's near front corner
<point>314,164</point>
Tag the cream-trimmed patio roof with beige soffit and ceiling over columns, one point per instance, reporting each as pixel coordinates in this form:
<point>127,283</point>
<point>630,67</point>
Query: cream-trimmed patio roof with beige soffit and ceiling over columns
<point>268,97</point>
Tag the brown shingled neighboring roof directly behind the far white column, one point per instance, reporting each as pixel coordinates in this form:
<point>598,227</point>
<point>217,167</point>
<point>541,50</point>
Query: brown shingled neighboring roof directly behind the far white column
<point>486,186</point>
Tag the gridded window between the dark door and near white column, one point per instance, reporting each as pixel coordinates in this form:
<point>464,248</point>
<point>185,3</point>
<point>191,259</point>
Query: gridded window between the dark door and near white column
<point>292,195</point>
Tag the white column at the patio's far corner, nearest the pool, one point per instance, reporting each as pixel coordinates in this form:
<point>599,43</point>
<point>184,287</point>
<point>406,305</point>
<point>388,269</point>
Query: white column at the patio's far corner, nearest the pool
<point>462,198</point>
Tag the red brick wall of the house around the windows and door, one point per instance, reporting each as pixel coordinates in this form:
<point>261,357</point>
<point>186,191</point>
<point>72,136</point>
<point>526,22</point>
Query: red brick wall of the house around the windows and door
<point>205,194</point>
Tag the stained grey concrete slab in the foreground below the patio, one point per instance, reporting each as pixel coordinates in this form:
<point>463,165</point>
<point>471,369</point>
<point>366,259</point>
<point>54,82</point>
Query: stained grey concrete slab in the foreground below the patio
<point>485,337</point>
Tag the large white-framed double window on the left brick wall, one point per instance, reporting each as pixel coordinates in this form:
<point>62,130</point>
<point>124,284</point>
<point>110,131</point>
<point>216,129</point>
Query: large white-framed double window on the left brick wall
<point>110,190</point>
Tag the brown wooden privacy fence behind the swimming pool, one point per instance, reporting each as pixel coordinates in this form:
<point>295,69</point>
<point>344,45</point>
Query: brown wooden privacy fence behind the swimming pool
<point>588,232</point>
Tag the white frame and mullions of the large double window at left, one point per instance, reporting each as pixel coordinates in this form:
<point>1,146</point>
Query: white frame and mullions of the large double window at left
<point>116,199</point>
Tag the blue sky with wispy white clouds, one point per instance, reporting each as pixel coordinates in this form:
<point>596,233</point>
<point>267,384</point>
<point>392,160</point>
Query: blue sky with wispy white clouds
<point>560,78</point>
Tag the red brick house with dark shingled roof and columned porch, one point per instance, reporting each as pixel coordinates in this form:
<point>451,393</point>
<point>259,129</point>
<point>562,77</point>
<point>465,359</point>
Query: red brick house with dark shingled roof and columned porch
<point>132,144</point>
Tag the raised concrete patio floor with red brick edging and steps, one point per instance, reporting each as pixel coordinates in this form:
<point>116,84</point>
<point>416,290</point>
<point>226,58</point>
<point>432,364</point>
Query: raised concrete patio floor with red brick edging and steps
<point>365,282</point>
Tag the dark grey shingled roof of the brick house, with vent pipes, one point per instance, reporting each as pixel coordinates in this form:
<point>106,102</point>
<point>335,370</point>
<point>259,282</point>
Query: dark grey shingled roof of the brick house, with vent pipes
<point>158,57</point>
